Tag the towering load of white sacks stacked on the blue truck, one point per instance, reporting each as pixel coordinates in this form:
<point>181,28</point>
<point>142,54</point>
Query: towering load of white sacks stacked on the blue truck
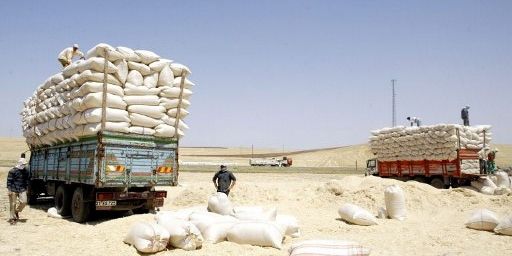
<point>146,95</point>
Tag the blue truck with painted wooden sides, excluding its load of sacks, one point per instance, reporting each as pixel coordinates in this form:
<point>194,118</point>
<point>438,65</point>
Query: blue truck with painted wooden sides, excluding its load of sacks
<point>105,172</point>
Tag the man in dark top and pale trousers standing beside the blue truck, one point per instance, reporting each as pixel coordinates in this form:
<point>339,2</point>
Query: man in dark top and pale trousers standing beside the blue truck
<point>17,184</point>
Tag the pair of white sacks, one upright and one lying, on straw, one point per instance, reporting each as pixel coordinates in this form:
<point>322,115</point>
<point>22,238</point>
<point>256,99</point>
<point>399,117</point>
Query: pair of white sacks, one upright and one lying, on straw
<point>394,199</point>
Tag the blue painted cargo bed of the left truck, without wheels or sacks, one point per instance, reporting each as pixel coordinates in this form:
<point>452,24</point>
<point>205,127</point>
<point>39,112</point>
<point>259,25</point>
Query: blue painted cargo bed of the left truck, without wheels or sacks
<point>109,160</point>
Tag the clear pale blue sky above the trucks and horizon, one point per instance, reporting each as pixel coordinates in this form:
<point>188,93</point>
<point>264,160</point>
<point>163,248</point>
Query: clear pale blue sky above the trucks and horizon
<point>292,74</point>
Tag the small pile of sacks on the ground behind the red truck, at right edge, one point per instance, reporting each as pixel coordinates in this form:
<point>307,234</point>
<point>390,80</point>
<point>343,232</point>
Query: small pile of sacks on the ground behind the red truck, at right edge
<point>498,184</point>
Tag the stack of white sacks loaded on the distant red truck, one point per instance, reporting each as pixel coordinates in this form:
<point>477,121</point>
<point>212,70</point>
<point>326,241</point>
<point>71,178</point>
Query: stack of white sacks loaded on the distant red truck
<point>436,142</point>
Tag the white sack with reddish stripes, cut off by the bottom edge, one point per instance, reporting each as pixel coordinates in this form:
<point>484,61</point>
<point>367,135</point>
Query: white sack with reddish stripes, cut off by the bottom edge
<point>328,248</point>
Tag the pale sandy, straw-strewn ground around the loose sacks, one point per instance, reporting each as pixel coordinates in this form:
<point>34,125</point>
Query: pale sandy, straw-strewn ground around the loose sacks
<point>434,225</point>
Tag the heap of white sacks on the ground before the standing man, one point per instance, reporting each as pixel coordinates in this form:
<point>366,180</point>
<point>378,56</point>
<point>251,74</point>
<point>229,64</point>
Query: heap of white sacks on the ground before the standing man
<point>188,228</point>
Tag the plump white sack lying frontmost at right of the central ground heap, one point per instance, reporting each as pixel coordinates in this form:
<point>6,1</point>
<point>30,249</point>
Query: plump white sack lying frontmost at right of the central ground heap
<point>256,233</point>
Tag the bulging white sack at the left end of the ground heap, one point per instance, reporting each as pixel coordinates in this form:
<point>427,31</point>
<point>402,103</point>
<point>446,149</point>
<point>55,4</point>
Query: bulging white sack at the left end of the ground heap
<point>147,237</point>
